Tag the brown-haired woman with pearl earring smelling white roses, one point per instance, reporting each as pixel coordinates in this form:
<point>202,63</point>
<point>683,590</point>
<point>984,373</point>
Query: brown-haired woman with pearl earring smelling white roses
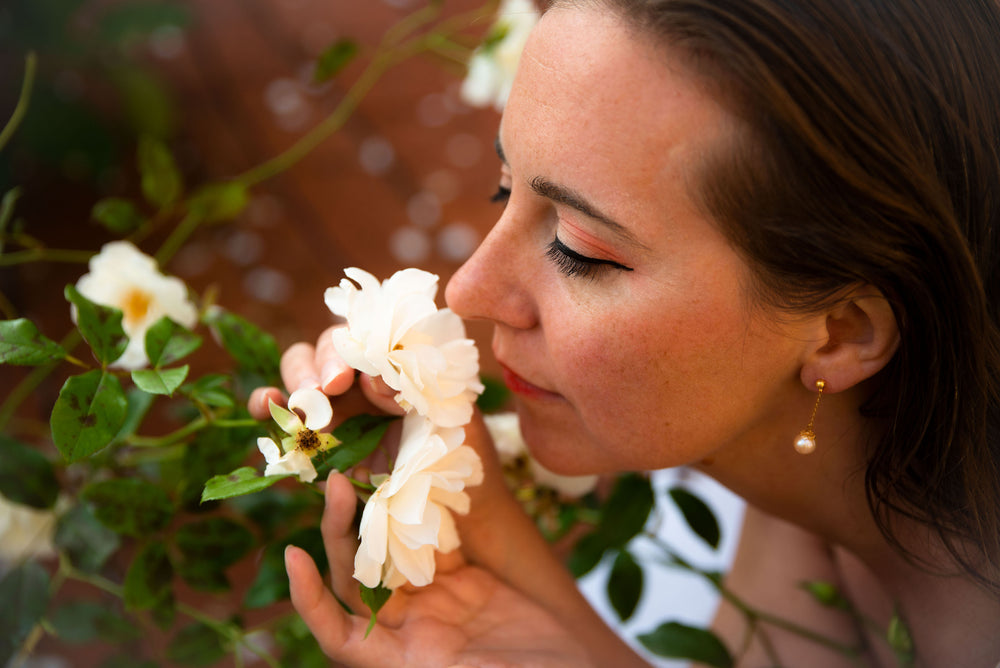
<point>717,211</point>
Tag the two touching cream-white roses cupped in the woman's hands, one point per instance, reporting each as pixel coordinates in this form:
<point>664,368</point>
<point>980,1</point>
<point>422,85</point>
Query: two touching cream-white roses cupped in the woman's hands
<point>395,330</point>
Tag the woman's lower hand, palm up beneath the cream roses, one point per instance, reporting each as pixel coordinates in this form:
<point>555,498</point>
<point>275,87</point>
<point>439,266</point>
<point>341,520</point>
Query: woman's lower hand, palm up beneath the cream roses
<point>466,617</point>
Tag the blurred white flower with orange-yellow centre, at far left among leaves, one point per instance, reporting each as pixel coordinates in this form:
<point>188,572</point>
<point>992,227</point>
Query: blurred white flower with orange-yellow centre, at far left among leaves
<point>124,277</point>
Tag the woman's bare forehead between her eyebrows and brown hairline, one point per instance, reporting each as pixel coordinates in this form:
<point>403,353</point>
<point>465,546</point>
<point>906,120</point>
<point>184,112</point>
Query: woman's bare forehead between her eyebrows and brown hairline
<point>595,98</point>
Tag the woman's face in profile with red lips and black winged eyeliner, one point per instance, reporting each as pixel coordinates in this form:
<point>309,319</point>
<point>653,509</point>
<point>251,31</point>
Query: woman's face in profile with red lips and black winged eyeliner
<point>620,310</point>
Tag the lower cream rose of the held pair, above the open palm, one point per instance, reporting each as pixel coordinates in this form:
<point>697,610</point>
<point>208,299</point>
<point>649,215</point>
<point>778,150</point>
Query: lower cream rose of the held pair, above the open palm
<point>407,519</point>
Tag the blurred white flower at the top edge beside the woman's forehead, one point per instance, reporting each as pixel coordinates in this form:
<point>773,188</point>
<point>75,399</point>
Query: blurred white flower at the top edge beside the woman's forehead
<point>492,66</point>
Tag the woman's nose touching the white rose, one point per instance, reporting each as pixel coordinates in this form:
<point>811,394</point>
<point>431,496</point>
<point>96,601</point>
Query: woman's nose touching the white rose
<point>494,284</point>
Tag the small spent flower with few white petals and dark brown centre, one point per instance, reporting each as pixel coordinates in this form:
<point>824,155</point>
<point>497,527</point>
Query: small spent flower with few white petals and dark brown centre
<point>304,439</point>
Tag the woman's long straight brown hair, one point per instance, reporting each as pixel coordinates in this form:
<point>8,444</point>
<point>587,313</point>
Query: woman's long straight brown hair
<point>871,156</point>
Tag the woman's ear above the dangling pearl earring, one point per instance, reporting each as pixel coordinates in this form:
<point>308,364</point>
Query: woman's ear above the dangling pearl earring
<point>857,338</point>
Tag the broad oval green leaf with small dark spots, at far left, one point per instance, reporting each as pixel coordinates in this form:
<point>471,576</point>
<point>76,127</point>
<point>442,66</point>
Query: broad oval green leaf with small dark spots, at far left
<point>88,414</point>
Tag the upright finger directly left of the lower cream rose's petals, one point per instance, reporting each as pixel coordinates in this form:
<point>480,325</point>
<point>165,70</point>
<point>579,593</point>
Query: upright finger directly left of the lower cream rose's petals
<point>339,539</point>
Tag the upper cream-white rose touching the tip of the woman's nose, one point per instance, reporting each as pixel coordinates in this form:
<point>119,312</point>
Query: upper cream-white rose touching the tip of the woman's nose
<point>395,330</point>
